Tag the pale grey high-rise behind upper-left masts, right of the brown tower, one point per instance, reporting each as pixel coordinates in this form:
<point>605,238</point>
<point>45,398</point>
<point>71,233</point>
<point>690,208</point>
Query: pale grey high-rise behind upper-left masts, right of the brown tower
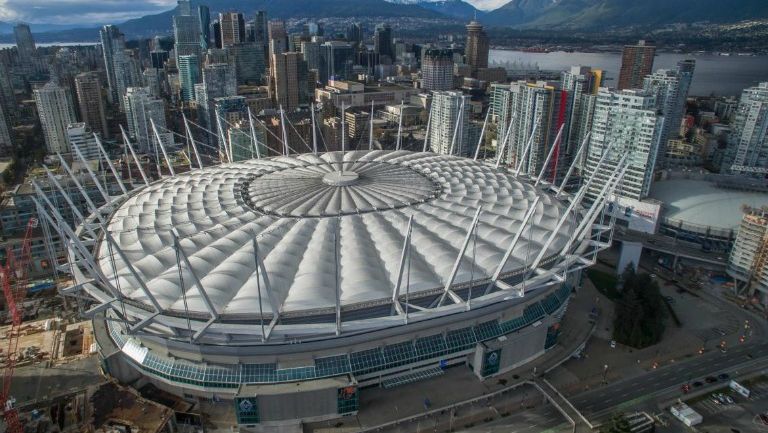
<point>141,110</point>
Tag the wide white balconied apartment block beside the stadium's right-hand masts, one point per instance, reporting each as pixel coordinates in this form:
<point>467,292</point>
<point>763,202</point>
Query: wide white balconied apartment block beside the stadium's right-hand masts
<point>628,123</point>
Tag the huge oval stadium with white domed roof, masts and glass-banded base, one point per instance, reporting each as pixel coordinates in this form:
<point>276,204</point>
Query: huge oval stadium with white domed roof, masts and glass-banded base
<point>289,284</point>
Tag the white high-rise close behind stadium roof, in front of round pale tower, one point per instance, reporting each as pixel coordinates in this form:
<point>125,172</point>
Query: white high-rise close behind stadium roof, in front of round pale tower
<point>448,129</point>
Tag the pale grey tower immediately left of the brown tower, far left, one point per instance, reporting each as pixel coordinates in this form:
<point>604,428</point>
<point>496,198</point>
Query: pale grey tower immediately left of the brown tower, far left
<point>54,106</point>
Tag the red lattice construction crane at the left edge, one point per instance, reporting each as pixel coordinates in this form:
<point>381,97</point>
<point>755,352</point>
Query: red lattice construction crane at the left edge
<point>15,292</point>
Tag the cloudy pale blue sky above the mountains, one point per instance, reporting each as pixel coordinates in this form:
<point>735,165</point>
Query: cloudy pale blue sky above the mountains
<point>108,11</point>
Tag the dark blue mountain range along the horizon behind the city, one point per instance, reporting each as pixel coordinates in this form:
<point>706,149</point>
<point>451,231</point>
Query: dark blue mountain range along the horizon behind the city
<point>530,14</point>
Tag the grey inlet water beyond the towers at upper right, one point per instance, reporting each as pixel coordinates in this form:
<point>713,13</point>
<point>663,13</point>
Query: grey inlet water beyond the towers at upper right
<point>721,75</point>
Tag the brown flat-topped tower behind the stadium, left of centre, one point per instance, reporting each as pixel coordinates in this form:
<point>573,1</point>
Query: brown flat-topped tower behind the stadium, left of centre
<point>289,80</point>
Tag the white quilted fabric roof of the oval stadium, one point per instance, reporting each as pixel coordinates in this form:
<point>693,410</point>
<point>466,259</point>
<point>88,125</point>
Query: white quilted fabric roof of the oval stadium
<point>299,216</point>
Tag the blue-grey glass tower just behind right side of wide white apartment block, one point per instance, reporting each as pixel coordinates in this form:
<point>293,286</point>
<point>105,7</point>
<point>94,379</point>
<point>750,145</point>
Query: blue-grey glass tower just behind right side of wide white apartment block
<point>671,90</point>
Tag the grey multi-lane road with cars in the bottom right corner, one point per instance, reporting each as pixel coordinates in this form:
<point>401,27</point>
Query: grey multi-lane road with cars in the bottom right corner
<point>601,401</point>
